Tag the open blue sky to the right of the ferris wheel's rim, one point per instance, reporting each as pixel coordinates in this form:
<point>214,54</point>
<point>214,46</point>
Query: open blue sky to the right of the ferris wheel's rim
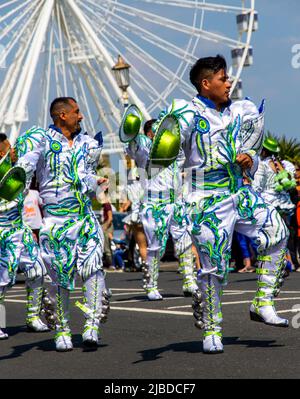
<point>272,75</point>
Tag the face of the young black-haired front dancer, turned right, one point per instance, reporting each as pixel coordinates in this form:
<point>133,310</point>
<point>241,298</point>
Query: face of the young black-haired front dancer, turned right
<point>217,87</point>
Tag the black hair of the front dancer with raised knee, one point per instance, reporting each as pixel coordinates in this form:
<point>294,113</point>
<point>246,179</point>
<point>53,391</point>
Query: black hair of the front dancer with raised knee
<point>204,68</point>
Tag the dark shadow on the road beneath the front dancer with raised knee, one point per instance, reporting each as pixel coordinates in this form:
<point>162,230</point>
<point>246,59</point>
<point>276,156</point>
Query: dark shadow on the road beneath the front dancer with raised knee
<point>196,347</point>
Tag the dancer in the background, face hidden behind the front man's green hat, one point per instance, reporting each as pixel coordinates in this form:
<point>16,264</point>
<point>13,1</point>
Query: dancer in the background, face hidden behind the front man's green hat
<point>162,212</point>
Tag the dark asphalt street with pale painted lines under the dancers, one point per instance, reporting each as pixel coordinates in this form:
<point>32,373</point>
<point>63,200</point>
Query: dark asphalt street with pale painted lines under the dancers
<point>158,340</point>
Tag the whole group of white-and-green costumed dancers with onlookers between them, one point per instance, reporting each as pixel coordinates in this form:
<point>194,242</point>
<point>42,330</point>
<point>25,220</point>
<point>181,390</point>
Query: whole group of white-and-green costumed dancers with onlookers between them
<point>205,174</point>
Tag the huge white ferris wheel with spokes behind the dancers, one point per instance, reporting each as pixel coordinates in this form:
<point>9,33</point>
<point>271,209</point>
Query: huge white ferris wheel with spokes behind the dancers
<point>53,48</point>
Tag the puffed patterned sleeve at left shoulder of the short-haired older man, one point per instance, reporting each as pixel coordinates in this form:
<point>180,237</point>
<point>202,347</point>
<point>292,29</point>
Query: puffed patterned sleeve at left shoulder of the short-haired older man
<point>29,147</point>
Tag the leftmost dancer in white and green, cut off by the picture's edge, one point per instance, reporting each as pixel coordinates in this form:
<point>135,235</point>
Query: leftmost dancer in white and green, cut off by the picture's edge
<point>18,249</point>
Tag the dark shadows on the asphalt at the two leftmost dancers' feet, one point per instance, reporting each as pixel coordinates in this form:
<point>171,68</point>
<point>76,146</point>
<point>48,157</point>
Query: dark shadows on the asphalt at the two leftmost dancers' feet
<point>46,345</point>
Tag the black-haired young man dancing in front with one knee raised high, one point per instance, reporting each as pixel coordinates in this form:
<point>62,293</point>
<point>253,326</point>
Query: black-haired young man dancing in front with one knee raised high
<point>220,141</point>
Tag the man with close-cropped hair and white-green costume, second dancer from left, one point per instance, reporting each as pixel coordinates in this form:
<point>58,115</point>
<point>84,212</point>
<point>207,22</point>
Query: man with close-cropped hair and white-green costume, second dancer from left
<point>71,238</point>
